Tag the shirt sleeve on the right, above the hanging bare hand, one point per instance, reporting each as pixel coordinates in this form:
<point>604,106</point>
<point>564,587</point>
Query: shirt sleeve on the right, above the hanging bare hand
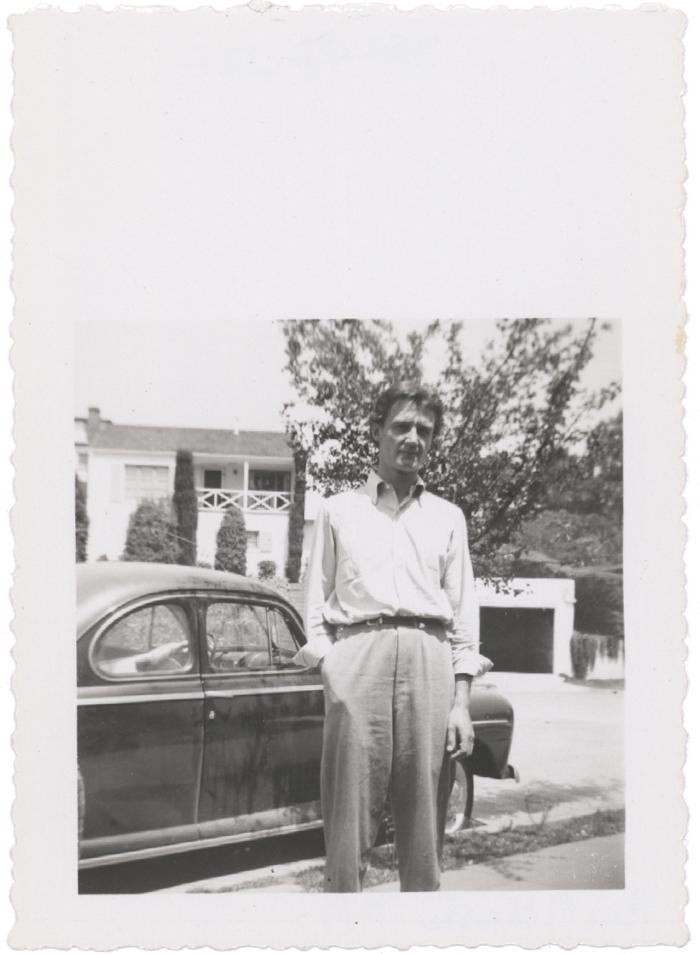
<point>458,583</point>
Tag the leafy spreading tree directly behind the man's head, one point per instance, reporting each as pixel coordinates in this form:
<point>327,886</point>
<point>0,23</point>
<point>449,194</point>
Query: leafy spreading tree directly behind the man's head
<point>508,421</point>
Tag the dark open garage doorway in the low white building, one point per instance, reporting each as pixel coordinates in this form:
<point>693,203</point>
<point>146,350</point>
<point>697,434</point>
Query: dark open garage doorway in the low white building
<point>518,640</point>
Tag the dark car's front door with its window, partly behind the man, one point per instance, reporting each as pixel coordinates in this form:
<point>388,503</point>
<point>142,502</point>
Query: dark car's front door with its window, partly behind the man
<point>263,721</point>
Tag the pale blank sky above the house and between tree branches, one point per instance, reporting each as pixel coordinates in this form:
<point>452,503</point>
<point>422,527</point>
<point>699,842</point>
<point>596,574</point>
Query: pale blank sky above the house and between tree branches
<point>223,374</point>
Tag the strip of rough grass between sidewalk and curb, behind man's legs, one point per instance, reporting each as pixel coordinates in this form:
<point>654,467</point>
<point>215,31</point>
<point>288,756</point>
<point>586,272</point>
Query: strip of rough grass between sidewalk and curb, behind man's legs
<point>472,847</point>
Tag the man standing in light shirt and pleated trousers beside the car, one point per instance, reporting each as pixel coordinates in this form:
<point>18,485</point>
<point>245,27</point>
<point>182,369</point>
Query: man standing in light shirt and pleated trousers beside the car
<point>392,620</point>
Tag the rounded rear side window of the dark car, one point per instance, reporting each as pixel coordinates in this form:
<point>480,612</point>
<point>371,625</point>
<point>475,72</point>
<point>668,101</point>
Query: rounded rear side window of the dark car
<point>152,640</point>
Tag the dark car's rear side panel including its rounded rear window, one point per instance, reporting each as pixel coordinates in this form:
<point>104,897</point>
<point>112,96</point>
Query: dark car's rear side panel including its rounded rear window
<point>140,730</point>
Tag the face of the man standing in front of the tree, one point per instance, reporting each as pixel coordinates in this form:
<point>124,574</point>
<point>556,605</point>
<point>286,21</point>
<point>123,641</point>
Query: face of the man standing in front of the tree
<point>405,437</point>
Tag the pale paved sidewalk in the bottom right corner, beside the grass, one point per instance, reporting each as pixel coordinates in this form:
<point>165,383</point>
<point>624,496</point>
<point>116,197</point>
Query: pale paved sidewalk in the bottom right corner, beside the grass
<point>594,864</point>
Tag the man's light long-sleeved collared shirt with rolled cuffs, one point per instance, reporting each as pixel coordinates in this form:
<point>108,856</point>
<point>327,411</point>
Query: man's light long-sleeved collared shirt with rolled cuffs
<point>373,556</point>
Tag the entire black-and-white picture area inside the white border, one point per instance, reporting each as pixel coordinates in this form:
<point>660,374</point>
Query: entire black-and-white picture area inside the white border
<point>353,619</point>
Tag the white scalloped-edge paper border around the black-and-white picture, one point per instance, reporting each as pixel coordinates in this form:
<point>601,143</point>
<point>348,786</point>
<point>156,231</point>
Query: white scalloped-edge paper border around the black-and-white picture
<point>333,163</point>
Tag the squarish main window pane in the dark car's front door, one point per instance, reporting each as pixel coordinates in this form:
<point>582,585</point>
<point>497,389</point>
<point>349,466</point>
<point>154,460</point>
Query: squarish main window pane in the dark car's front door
<point>237,637</point>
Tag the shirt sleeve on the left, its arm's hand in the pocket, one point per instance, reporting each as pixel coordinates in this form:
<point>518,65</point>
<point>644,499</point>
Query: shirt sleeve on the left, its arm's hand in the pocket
<point>320,582</point>
